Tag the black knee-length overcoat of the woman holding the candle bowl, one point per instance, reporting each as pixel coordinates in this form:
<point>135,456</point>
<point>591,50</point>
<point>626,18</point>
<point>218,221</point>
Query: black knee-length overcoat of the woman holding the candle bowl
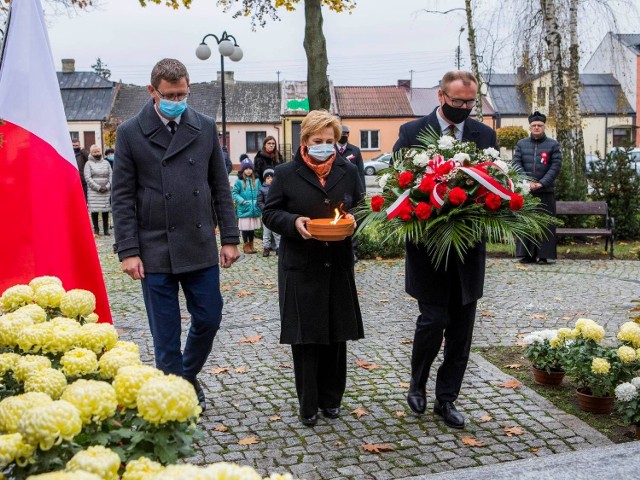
<point>317,291</point>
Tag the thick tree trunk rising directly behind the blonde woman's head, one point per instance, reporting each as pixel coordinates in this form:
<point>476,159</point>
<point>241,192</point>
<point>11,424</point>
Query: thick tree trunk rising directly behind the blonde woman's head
<point>316,49</point>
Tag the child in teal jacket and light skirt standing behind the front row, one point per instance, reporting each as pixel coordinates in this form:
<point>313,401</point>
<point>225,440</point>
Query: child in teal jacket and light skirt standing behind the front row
<point>245,194</point>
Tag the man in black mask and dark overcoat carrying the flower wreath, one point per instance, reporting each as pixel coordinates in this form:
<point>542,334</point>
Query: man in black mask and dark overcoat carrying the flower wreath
<point>447,298</point>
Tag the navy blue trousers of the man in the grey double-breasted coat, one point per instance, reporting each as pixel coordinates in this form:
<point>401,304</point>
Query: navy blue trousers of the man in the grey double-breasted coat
<point>204,302</point>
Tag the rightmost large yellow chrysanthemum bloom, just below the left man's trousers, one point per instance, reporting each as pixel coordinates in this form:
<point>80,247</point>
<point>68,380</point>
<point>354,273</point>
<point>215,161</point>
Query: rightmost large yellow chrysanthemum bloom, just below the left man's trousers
<point>168,398</point>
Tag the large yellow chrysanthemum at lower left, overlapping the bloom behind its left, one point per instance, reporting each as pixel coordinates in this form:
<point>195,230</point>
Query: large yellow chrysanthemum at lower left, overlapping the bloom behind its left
<point>51,424</point>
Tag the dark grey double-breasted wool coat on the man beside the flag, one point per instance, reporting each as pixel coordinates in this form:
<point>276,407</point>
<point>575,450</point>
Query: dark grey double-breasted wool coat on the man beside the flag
<point>169,191</point>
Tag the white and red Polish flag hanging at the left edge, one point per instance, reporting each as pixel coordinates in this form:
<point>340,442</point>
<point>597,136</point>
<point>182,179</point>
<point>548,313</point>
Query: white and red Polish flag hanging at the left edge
<point>44,224</point>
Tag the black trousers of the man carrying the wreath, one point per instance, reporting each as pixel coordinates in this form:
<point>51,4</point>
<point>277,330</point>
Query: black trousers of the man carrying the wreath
<point>453,322</point>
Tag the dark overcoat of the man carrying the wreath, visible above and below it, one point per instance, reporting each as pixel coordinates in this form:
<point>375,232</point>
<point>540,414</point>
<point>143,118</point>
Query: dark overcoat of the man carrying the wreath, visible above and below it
<point>422,280</point>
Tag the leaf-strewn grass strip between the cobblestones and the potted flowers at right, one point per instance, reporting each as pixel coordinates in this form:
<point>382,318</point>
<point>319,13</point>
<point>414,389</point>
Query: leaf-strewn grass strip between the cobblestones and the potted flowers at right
<point>563,396</point>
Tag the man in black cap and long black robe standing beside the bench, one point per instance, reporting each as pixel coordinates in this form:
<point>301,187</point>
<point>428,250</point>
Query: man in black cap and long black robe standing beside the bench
<point>540,158</point>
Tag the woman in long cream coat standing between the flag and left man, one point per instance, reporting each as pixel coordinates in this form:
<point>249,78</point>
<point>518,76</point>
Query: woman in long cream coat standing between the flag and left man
<point>97,174</point>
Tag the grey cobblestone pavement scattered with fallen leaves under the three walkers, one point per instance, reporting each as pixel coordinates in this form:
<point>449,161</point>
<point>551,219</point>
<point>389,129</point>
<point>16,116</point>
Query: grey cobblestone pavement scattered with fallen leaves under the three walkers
<point>256,396</point>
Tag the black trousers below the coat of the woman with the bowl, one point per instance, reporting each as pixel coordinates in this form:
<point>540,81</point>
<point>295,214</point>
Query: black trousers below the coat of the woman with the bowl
<point>321,375</point>
